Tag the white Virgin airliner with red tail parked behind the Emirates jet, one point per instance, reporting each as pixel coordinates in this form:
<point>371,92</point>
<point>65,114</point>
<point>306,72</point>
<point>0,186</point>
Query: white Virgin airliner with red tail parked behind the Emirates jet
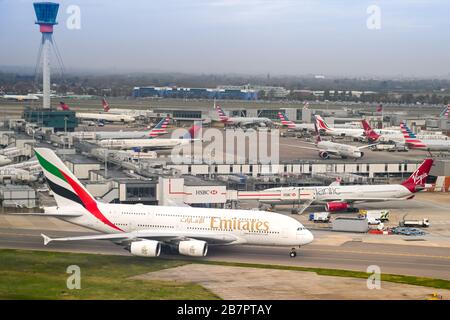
<point>340,197</point>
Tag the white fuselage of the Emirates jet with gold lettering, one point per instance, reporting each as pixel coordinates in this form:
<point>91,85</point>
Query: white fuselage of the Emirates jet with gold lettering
<point>249,227</point>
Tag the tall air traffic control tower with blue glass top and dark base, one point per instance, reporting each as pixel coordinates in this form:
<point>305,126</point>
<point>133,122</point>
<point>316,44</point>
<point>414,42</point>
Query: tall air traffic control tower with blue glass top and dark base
<point>46,13</point>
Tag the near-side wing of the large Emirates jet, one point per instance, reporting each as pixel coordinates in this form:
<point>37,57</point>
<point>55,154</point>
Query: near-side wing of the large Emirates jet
<point>163,236</point>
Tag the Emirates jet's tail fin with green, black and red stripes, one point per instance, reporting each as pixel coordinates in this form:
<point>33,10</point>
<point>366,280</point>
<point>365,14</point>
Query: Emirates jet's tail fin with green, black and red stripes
<point>68,191</point>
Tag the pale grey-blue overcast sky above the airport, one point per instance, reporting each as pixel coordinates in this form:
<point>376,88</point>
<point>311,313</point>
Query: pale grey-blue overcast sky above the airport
<point>293,37</point>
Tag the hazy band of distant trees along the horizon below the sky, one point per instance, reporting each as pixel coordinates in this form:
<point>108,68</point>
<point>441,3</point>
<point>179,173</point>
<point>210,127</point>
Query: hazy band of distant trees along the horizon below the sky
<point>433,91</point>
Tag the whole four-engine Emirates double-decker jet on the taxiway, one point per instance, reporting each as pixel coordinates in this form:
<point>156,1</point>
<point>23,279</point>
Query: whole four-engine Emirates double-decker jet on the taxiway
<point>144,229</point>
